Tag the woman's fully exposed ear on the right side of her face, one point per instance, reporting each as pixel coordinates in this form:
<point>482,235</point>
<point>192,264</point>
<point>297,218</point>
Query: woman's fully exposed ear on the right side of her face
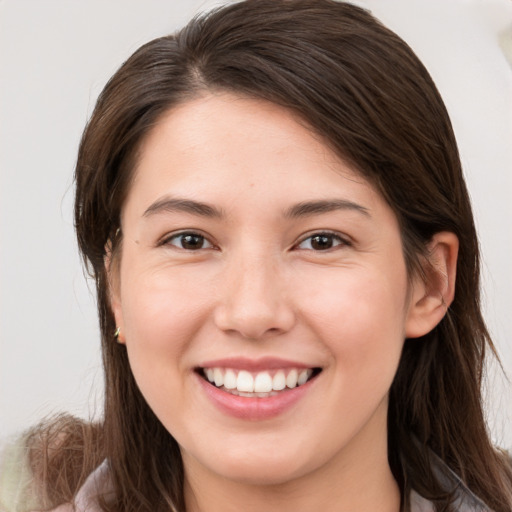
<point>433,293</point>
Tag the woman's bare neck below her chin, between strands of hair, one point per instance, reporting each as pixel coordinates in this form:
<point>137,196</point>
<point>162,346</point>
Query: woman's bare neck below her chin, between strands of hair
<point>356,478</point>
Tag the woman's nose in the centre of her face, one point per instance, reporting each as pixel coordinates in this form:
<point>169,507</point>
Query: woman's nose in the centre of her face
<point>253,300</point>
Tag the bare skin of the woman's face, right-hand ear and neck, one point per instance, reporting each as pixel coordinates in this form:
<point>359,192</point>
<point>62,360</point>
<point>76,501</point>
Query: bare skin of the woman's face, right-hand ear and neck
<point>258,287</point>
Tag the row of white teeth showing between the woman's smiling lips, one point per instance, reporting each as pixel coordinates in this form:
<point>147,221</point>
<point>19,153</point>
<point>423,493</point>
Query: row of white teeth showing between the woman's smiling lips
<point>261,384</point>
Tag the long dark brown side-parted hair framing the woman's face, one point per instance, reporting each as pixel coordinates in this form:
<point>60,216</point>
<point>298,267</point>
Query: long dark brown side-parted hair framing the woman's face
<point>362,89</point>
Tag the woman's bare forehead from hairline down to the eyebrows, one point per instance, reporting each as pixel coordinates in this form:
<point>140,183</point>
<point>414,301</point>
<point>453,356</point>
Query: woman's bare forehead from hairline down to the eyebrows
<point>222,147</point>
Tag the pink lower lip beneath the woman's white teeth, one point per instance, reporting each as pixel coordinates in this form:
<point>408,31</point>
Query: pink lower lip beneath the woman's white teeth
<point>254,409</point>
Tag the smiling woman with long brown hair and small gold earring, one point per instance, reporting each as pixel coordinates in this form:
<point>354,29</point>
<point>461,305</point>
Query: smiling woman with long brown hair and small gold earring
<point>272,205</point>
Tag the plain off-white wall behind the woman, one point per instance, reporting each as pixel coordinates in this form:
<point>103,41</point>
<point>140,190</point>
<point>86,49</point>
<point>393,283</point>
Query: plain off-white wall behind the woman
<point>55,56</point>
